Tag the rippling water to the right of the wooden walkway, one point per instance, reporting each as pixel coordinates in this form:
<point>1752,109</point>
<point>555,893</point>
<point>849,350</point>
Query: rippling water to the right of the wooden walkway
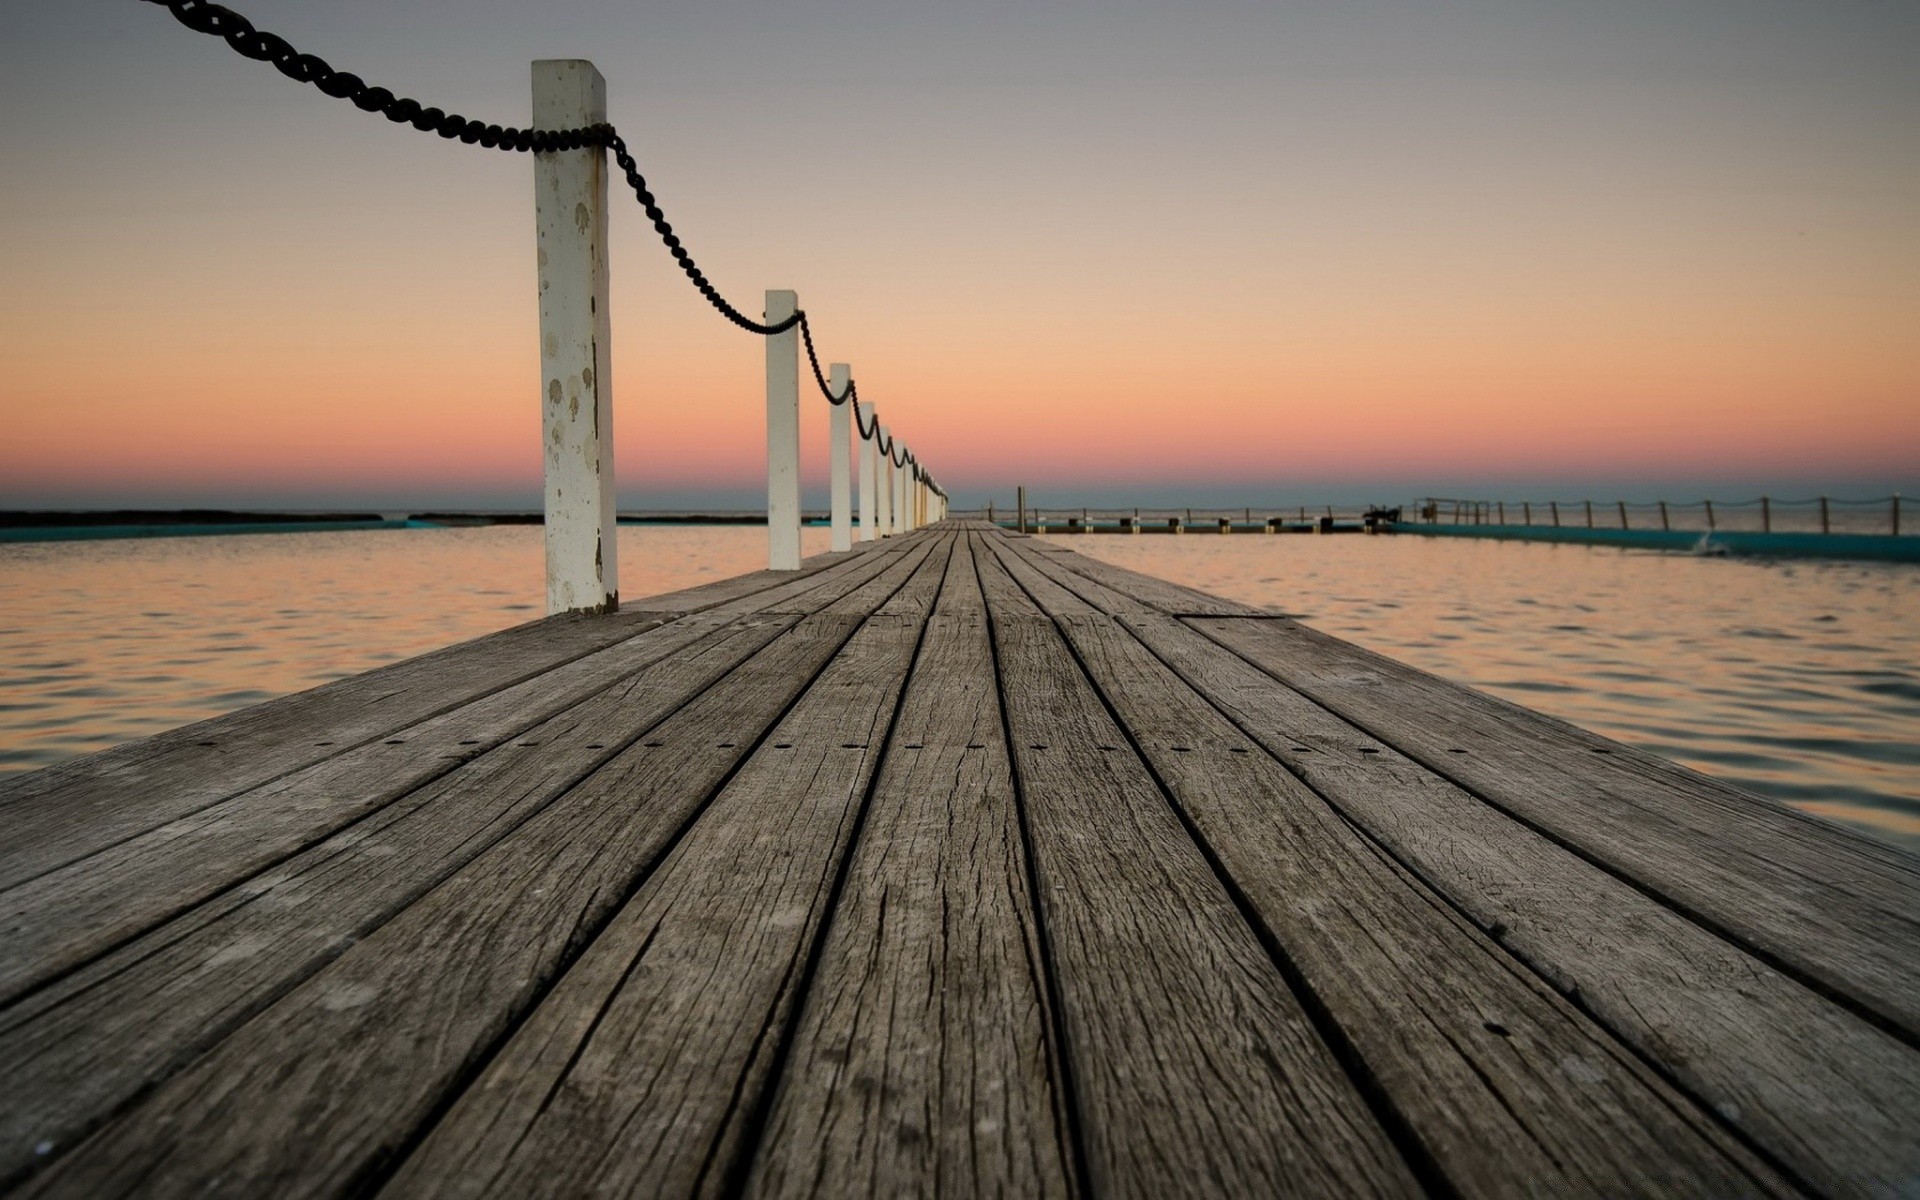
<point>1794,679</point>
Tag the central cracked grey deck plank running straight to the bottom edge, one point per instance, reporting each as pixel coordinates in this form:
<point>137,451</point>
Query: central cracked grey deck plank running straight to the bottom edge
<point>923,1061</point>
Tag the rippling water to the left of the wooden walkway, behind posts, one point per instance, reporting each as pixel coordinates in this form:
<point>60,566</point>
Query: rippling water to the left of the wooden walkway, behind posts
<point>103,642</point>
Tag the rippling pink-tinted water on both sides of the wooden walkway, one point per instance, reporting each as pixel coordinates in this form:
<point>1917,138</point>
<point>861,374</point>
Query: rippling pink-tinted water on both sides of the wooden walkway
<point>1798,681</point>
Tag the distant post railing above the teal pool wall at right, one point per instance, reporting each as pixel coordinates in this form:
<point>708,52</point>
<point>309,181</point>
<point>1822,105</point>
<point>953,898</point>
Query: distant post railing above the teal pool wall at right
<point>1764,516</point>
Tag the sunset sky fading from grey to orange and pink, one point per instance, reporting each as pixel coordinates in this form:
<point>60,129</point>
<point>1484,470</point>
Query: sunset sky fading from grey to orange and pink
<point>1122,251</point>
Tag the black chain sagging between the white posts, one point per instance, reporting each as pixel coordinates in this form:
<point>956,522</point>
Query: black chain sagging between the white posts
<point>266,47</point>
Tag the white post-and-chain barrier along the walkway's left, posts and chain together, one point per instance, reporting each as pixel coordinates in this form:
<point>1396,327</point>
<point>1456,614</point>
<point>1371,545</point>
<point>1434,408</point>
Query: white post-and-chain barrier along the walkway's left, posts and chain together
<point>569,145</point>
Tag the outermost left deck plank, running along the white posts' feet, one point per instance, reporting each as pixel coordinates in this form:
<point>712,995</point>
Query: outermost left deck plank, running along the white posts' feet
<point>80,807</point>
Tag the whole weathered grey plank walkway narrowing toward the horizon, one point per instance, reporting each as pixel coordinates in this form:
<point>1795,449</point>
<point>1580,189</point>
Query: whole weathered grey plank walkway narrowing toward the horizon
<point>957,865</point>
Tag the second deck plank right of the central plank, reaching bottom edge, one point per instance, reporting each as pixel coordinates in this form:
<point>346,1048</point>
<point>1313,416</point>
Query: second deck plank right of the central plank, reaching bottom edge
<point>1504,1086</point>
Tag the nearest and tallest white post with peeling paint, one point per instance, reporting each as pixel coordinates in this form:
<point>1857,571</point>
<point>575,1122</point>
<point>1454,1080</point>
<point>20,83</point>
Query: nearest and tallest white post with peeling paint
<point>575,345</point>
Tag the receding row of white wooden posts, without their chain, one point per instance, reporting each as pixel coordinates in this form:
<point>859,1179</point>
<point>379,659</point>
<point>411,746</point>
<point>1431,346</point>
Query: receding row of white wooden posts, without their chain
<point>575,368</point>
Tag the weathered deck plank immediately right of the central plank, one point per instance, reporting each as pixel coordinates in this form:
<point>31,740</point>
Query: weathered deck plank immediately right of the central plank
<point>1189,1057</point>
